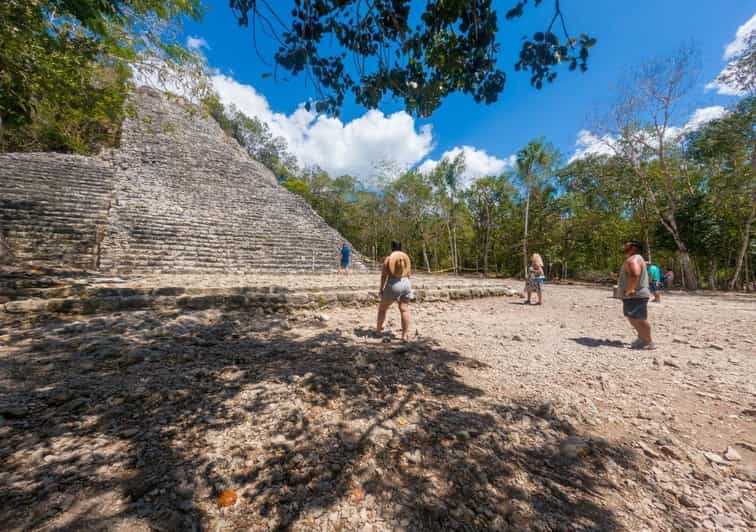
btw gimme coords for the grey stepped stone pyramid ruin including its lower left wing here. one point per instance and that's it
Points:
(177, 196)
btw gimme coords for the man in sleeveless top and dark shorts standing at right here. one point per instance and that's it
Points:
(634, 292)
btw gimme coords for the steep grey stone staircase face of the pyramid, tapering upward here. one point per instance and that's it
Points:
(190, 199)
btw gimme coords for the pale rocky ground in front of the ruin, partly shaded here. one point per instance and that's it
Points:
(497, 416)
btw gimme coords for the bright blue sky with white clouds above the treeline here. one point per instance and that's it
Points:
(628, 32)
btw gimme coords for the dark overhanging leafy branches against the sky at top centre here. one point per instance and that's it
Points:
(418, 57)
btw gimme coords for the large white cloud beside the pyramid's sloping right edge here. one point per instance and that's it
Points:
(354, 148)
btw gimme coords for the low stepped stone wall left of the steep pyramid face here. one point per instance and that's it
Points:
(53, 209)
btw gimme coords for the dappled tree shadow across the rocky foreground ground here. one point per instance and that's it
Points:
(142, 419)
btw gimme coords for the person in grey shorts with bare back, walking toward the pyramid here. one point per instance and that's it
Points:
(395, 286)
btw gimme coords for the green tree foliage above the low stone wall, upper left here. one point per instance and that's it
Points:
(65, 66)
